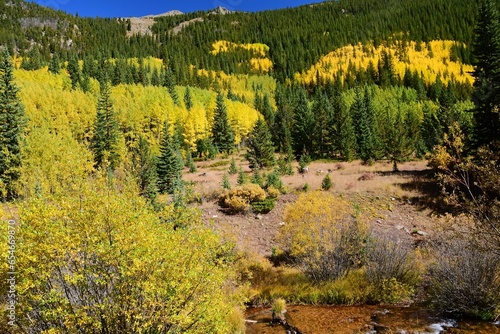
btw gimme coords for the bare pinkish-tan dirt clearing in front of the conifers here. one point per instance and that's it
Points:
(395, 202)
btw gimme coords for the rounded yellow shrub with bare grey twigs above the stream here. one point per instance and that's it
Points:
(322, 235)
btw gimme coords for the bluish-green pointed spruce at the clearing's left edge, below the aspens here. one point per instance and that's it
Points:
(169, 165)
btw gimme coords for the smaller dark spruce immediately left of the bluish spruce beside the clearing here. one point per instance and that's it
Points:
(144, 167)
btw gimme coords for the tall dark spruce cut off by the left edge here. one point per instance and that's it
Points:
(12, 122)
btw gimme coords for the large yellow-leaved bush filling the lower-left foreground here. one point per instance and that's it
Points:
(97, 258)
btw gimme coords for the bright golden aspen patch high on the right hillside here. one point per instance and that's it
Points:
(432, 60)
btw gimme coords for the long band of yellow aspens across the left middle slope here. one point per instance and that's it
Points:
(140, 110)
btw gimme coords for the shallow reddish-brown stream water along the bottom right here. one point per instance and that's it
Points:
(364, 319)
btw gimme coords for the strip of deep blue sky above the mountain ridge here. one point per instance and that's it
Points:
(124, 8)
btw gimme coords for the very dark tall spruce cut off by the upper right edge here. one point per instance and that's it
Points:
(487, 74)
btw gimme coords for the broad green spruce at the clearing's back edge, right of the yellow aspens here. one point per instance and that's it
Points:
(260, 153)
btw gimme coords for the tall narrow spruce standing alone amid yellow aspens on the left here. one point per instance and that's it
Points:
(104, 142)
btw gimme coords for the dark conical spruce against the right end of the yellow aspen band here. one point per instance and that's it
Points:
(222, 133)
